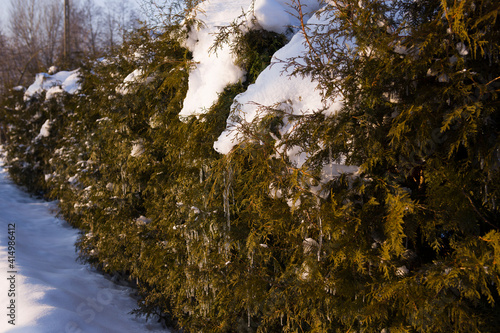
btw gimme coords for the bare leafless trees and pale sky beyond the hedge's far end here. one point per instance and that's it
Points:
(31, 40)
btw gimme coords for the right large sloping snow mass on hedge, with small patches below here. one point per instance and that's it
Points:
(276, 88)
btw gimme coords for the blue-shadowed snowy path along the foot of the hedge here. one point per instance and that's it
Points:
(53, 293)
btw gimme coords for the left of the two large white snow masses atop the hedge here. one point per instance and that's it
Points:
(216, 70)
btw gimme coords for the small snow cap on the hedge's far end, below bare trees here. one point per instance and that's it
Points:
(68, 81)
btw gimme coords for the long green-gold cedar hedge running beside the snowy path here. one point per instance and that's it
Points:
(246, 242)
